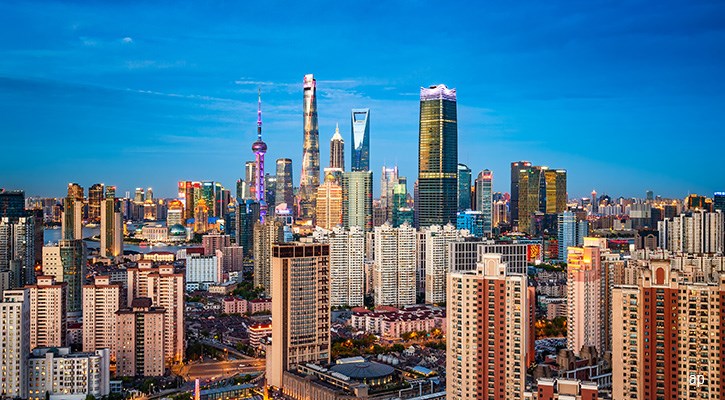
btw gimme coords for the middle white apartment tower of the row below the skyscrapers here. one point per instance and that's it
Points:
(395, 266)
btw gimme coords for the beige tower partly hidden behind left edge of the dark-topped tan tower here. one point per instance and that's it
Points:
(265, 237)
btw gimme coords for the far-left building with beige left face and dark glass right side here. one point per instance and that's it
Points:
(66, 263)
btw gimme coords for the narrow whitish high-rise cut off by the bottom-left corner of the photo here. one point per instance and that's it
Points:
(15, 343)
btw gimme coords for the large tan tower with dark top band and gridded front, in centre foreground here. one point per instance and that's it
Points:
(300, 308)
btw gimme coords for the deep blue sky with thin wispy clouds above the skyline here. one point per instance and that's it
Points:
(627, 96)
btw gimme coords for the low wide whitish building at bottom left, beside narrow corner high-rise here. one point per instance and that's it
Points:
(56, 372)
